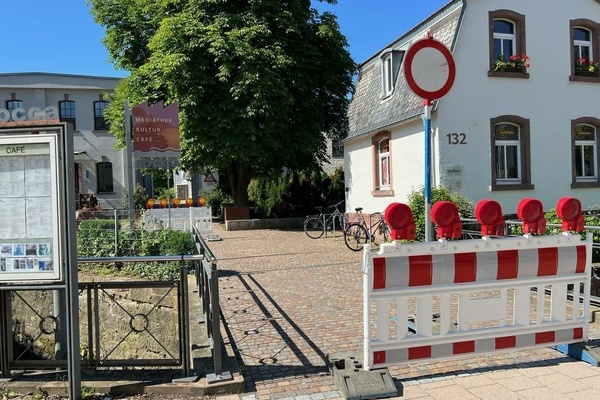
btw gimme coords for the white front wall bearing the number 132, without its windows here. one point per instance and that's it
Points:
(548, 99)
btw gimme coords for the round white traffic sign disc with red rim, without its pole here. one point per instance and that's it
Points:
(429, 69)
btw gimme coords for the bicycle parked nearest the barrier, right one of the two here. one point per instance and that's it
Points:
(357, 234)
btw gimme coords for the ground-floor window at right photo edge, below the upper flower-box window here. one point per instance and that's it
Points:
(585, 158)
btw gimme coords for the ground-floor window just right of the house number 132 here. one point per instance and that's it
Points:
(510, 159)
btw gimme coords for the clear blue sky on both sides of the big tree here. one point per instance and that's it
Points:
(60, 36)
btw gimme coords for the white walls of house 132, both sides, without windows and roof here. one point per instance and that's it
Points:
(547, 98)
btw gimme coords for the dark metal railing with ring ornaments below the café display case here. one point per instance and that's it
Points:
(116, 317)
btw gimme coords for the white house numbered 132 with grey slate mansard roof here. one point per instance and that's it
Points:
(528, 133)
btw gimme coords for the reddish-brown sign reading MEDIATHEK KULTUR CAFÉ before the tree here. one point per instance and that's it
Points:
(155, 128)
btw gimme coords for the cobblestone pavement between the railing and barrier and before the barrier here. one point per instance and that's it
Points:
(289, 300)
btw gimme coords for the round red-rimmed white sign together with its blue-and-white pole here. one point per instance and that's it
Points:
(430, 71)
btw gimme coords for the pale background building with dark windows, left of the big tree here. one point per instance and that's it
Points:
(100, 168)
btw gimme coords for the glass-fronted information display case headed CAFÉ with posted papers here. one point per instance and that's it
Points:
(30, 193)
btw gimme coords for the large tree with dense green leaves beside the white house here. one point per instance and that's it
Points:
(261, 84)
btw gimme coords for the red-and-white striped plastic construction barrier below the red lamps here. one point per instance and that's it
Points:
(424, 301)
